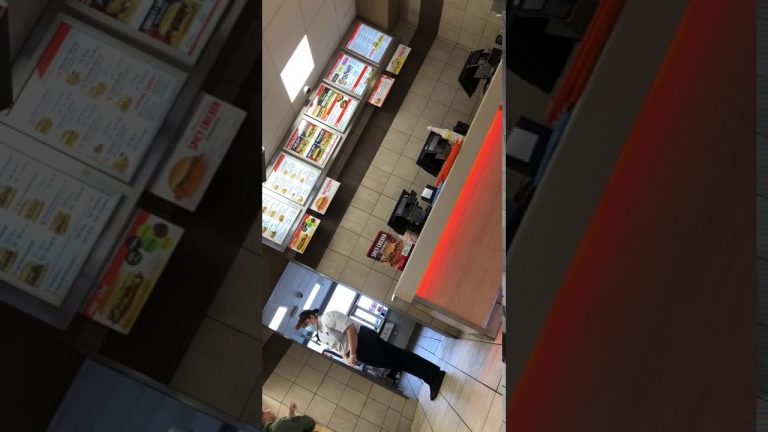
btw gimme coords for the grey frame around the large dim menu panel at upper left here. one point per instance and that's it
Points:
(23, 76)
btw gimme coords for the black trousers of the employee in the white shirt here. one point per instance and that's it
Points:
(374, 351)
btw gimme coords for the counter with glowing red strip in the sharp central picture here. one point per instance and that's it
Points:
(455, 267)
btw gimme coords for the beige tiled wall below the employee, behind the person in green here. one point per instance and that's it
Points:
(338, 400)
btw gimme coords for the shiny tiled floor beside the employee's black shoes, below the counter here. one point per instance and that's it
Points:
(471, 396)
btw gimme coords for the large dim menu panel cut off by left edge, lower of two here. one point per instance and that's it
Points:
(48, 224)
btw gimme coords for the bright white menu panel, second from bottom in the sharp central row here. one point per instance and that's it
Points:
(292, 178)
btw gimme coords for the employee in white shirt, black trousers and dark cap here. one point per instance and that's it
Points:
(339, 333)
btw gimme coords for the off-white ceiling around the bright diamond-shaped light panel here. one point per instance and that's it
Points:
(285, 22)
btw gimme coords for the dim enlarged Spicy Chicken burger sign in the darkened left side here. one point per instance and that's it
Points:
(188, 172)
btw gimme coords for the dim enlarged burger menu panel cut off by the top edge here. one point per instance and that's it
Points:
(181, 24)
